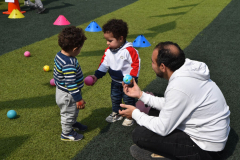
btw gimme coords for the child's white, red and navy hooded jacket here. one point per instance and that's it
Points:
(119, 63)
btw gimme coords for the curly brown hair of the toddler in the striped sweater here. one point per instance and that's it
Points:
(70, 38)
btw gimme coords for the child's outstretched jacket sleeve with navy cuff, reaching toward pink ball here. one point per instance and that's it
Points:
(103, 67)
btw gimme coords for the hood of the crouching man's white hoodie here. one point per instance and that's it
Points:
(193, 69)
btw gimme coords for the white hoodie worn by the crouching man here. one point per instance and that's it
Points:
(192, 103)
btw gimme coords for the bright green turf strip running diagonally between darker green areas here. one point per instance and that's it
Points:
(35, 134)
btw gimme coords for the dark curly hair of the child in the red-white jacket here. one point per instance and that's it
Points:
(118, 28)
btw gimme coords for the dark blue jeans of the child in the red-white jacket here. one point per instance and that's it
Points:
(117, 95)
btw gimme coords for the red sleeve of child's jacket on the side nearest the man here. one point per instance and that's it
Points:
(134, 61)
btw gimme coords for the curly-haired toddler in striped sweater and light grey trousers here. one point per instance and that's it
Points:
(68, 78)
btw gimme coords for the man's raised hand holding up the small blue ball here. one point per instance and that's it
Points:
(134, 91)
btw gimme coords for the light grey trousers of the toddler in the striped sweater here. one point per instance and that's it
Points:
(68, 110)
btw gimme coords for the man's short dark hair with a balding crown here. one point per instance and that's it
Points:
(171, 60)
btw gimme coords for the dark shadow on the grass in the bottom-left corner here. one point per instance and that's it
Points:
(10, 144)
